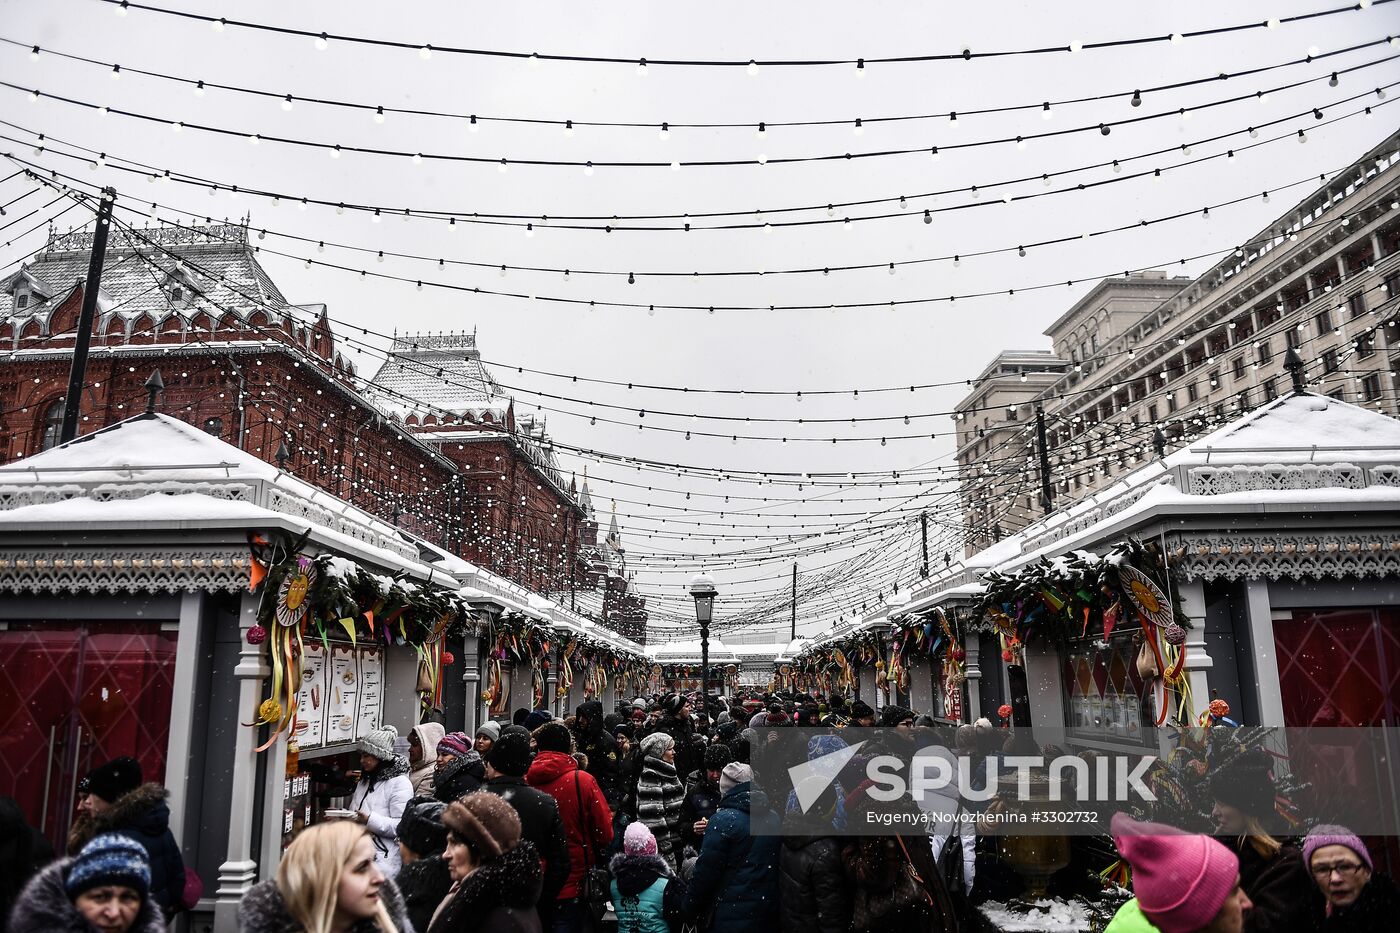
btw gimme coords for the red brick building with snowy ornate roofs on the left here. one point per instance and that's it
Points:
(429, 443)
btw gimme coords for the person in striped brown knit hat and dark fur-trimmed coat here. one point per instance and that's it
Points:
(496, 873)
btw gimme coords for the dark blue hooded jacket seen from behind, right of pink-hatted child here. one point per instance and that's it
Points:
(737, 873)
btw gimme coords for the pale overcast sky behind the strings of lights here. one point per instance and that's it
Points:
(789, 351)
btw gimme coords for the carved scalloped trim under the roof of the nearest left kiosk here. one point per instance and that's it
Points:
(124, 571)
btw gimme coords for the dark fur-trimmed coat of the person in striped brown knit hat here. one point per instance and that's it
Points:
(496, 899)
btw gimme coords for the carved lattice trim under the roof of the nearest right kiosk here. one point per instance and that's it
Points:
(1286, 557)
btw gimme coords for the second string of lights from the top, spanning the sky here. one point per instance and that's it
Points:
(381, 113)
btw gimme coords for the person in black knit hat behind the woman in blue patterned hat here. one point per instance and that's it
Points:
(113, 799)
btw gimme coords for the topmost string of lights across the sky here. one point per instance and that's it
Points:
(752, 67)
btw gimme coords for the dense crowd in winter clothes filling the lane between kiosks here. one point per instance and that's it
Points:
(650, 816)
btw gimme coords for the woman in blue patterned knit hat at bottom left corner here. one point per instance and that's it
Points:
(106, 887)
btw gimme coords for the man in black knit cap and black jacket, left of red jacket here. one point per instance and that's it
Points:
(506, 767)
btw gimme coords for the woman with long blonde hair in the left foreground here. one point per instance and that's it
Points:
(327, 883)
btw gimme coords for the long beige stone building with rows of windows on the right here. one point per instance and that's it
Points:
(1147, 362)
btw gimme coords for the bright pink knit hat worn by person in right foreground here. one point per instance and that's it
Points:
(1181, 880)
